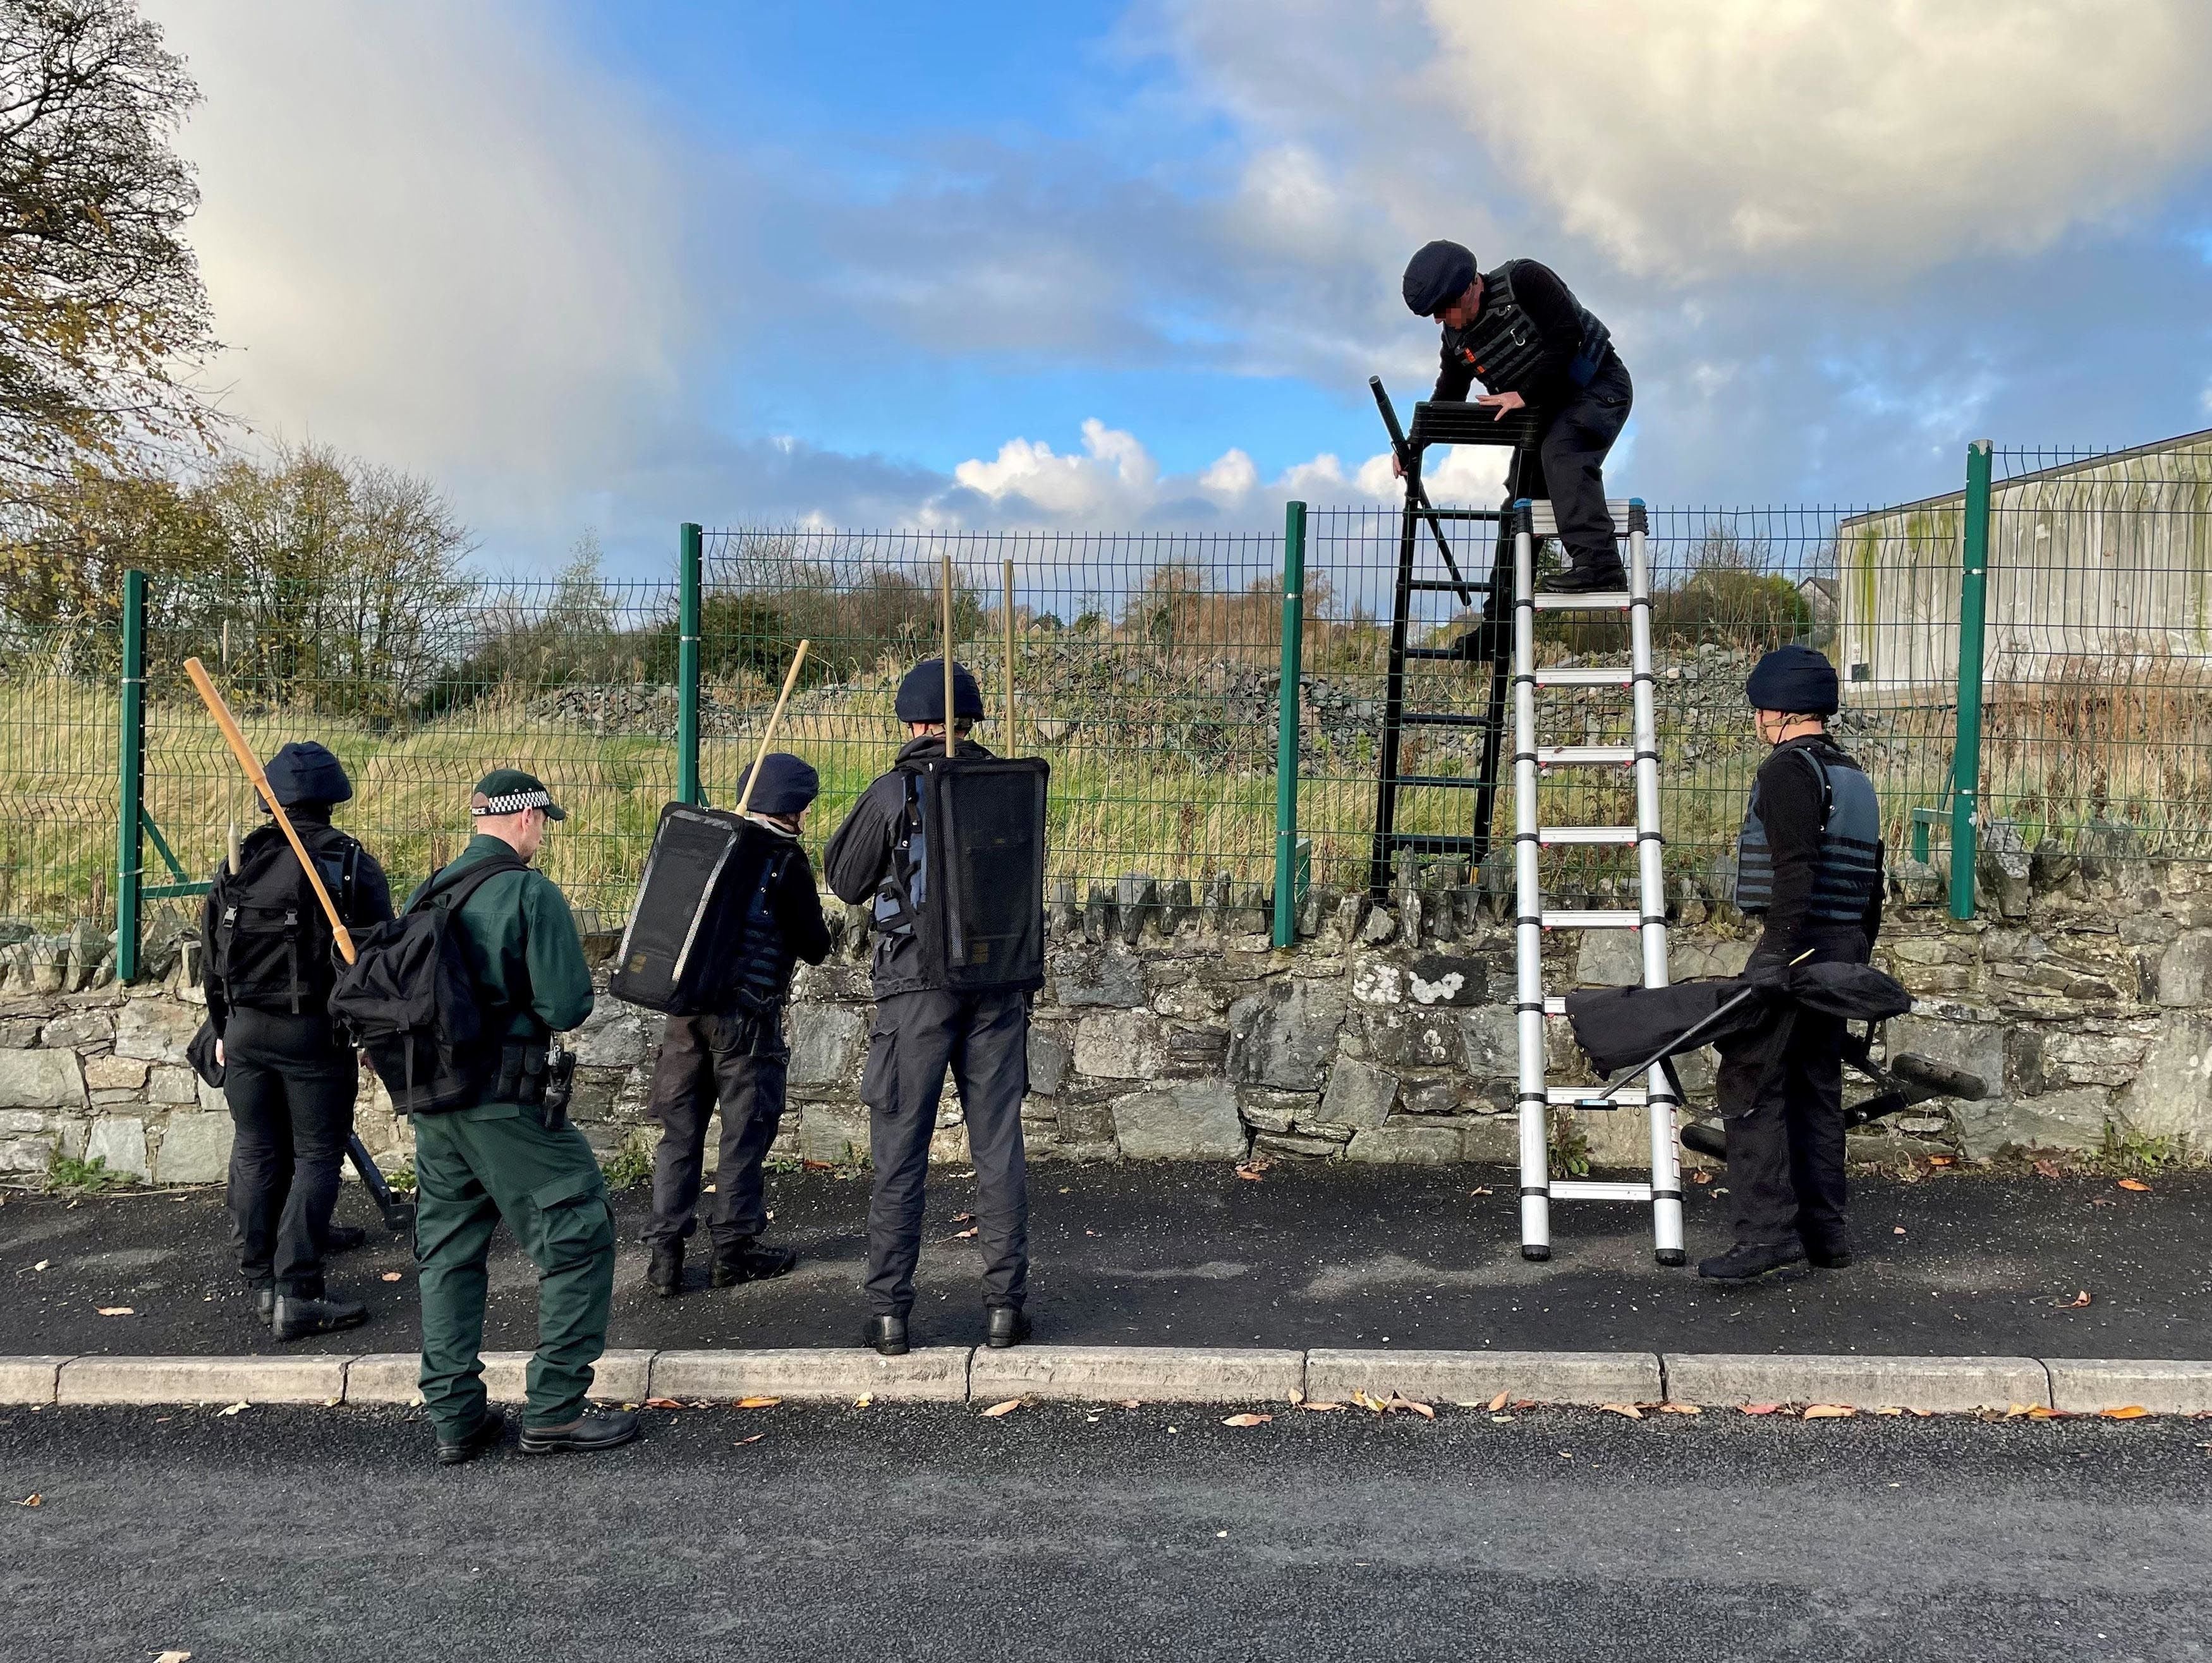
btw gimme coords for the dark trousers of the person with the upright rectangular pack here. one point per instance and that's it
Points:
(985, 1040)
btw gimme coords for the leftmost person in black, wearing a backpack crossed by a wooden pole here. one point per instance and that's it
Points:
(291, 1082)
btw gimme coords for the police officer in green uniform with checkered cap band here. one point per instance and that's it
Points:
(514, 1158)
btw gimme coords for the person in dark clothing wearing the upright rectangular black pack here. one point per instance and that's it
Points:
(921, 1029)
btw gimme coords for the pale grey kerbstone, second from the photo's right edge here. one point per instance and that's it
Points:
(1861, 1383)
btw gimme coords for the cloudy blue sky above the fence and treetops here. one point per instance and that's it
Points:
(603, 266)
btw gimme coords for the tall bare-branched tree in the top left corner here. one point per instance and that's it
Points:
(103, 315)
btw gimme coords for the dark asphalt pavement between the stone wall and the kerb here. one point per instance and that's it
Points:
(1189, 1255)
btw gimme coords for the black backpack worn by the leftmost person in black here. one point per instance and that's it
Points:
(273, 945)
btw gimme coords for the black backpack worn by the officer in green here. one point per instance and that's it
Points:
(413, 1005)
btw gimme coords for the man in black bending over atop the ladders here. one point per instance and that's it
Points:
(1532, 344)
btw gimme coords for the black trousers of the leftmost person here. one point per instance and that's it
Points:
(291, 1091)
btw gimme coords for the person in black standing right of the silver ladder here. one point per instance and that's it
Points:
(1811, 870)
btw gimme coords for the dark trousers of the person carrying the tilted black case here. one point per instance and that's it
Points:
(742, 1065)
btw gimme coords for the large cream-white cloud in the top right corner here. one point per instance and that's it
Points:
(1700, 136)
